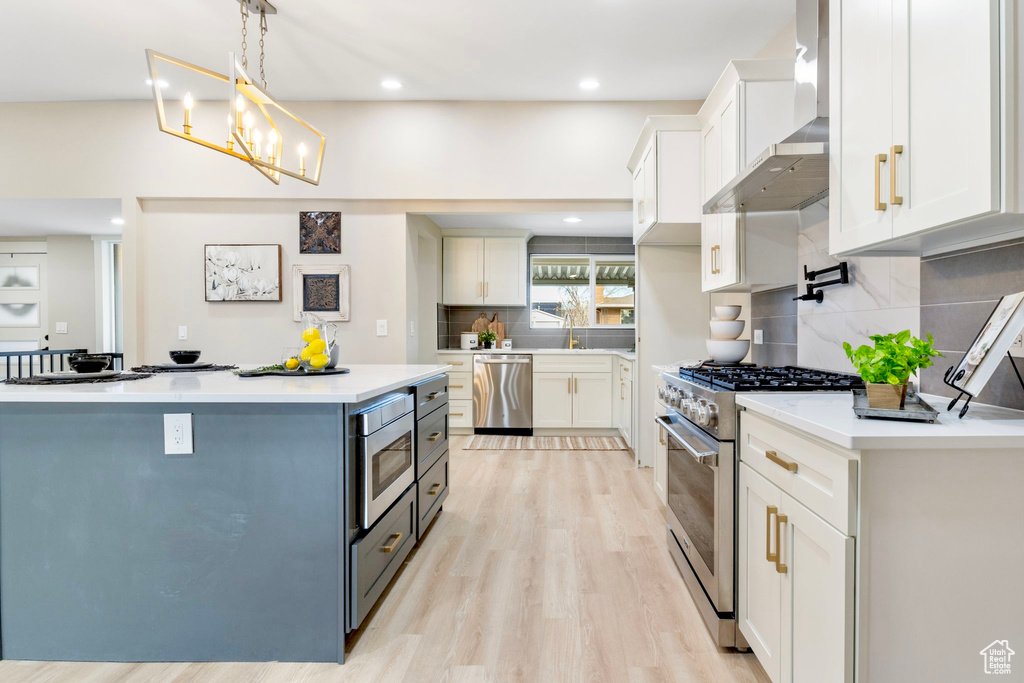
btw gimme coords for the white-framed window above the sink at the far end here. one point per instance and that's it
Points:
(584, 291)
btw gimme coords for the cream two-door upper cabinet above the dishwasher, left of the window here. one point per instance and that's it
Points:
(485, 271)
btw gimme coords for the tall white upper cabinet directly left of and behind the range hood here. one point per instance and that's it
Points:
(751, 108)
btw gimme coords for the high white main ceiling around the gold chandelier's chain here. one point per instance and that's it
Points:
(439, 50)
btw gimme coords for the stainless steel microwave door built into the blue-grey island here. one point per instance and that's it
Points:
(387, 458)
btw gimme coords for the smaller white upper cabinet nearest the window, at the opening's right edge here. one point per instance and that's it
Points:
(666, 168)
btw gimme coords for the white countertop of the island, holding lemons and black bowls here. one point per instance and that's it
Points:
(225, 388)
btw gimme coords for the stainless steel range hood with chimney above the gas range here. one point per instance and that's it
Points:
(793, 174)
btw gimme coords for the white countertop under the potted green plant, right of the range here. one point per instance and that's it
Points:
(831, 417)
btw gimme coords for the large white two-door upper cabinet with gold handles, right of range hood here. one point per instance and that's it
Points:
(923, 130)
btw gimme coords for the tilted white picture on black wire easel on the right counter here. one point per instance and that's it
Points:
(991, 347)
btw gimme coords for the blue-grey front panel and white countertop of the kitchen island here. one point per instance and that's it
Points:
(112, 550)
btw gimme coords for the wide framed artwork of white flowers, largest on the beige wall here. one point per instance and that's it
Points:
(243, 273)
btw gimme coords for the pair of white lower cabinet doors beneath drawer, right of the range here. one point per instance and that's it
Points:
(796, 586)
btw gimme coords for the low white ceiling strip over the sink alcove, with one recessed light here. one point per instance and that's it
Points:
(594, 225)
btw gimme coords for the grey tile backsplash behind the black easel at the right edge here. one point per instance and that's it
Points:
(959, 292)
